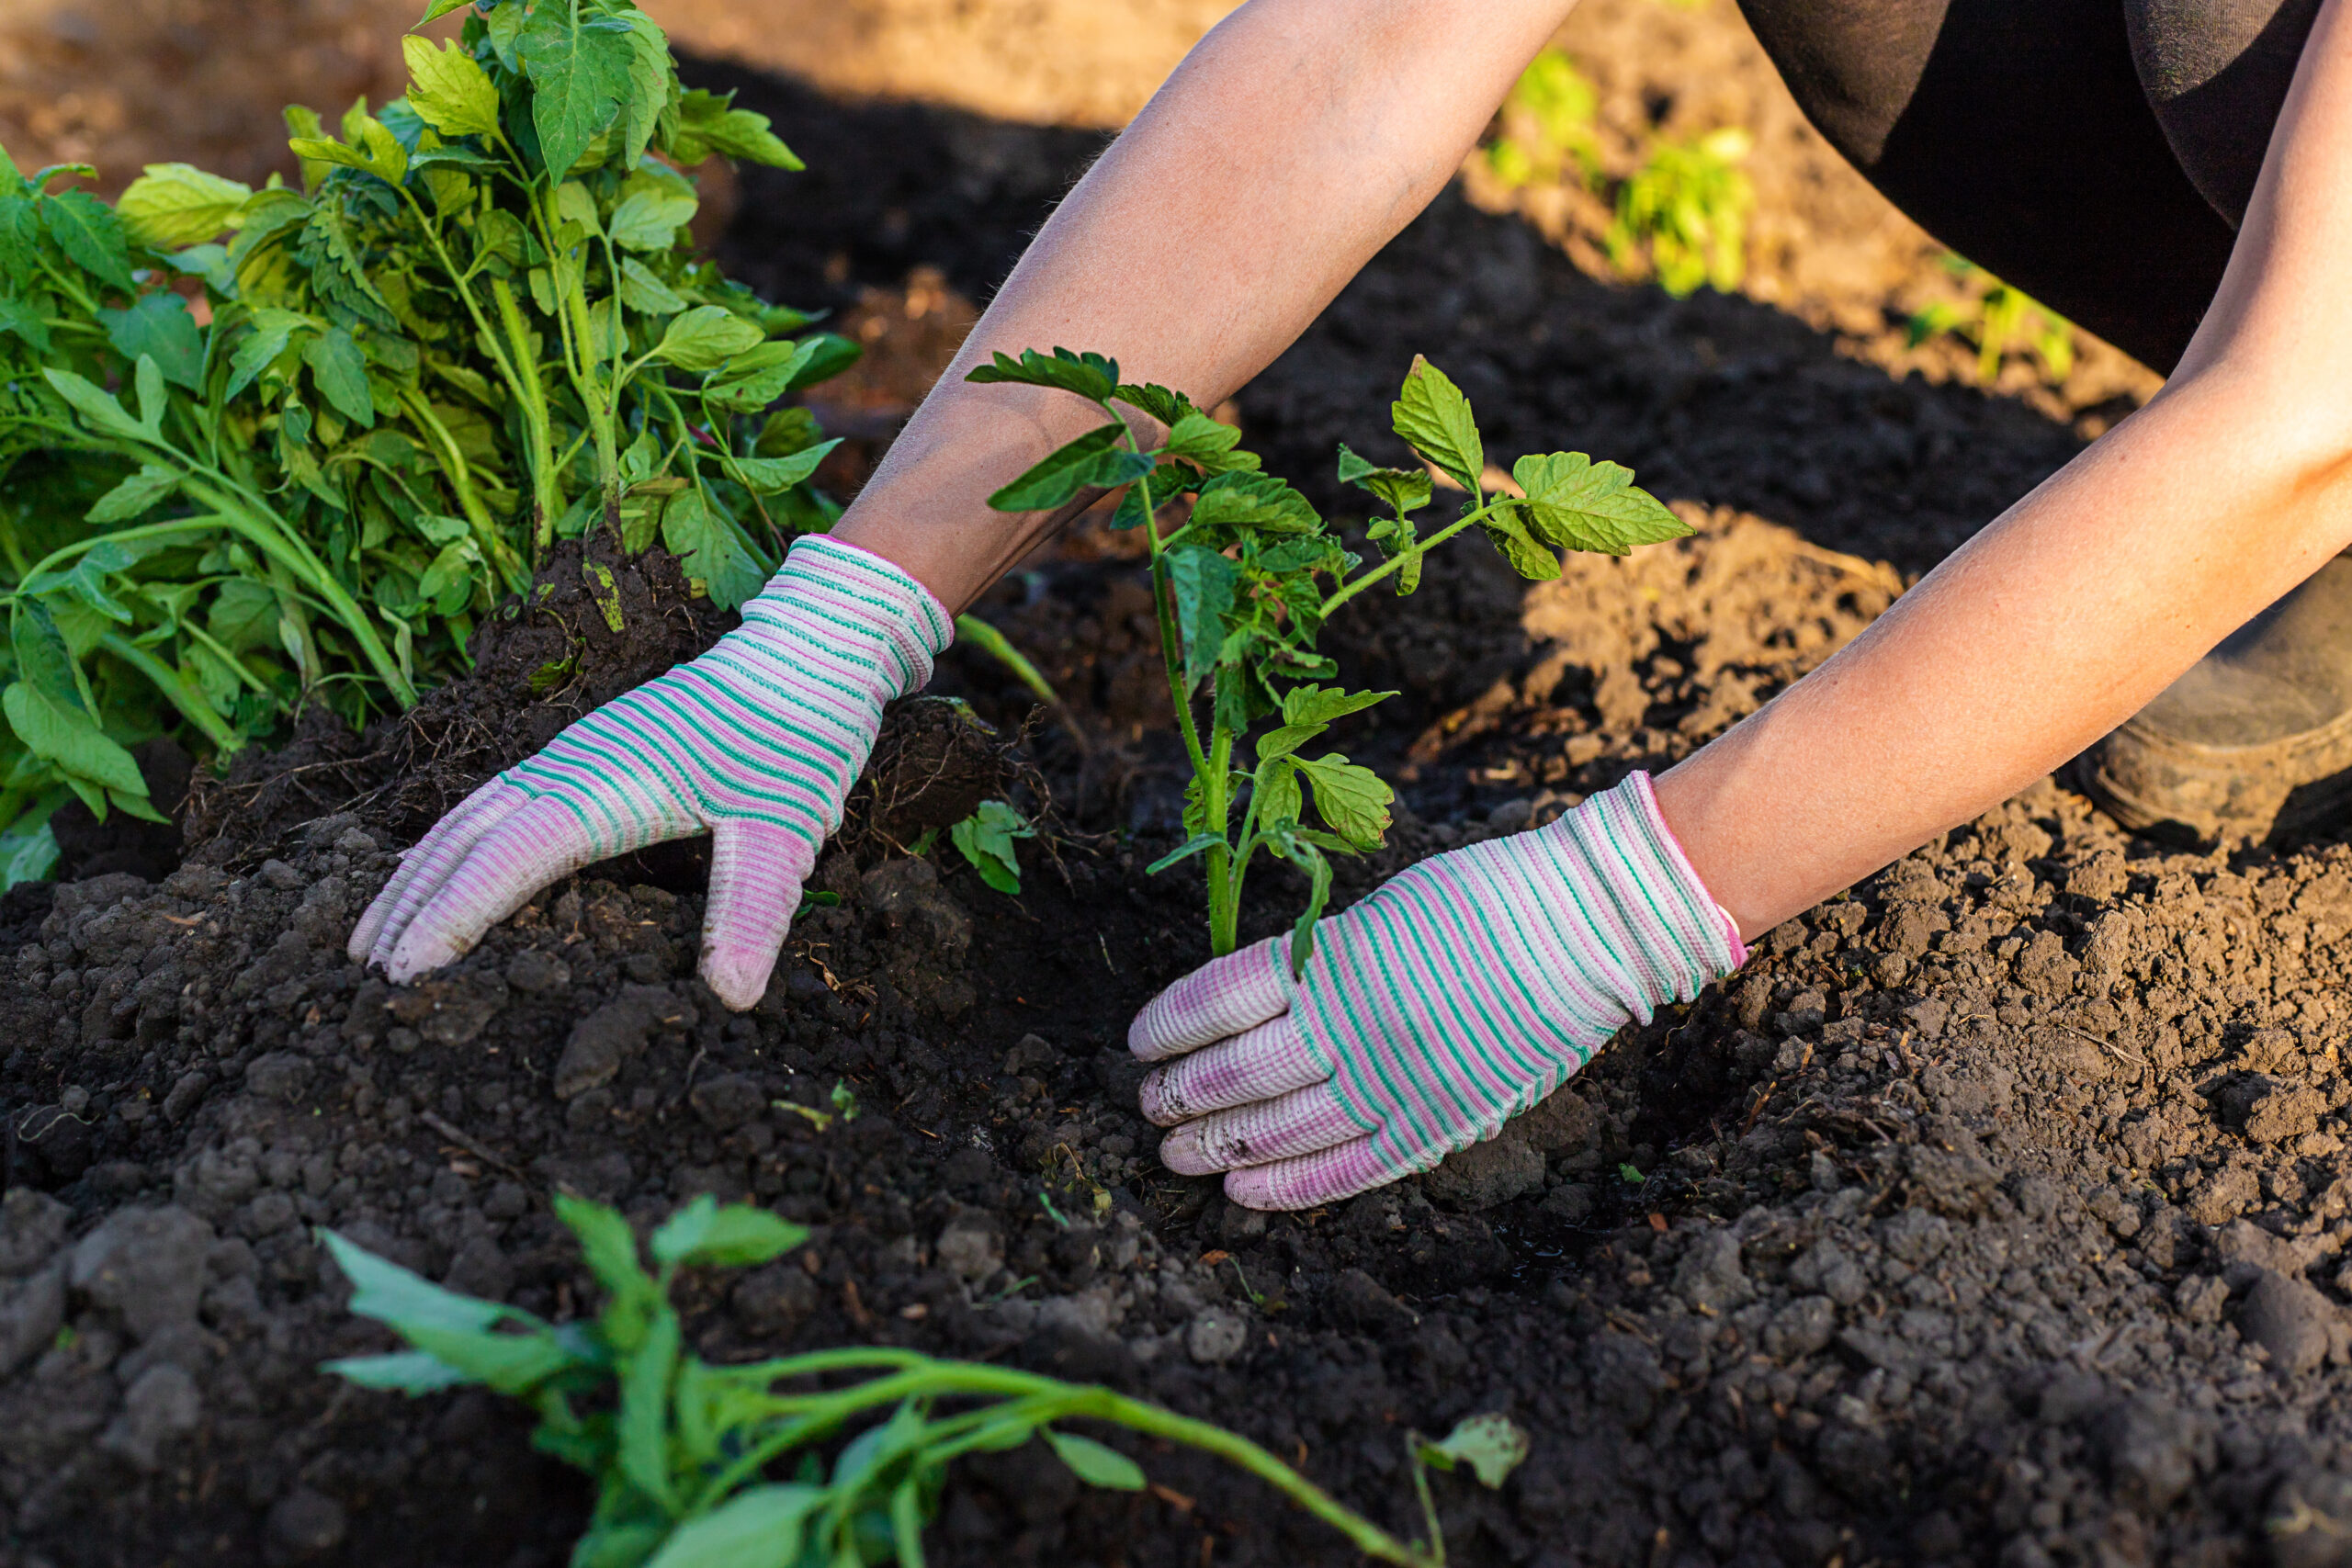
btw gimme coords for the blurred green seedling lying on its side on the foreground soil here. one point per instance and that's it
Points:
(688, 1456)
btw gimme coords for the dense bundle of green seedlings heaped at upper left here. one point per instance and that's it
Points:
(286, 448)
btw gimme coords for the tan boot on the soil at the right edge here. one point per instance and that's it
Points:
(2254, 739)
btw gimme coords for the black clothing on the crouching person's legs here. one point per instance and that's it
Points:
(2097, 154)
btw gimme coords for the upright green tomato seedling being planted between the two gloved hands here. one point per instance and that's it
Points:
(1250, 572)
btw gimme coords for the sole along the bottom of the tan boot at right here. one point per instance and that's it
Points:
(2156, 784)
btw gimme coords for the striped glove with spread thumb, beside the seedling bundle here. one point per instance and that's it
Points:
(756, 744)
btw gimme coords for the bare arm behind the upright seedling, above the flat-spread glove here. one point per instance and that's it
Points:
(1295, 142)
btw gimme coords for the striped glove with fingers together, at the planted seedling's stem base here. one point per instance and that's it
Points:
(1436, 1010)
